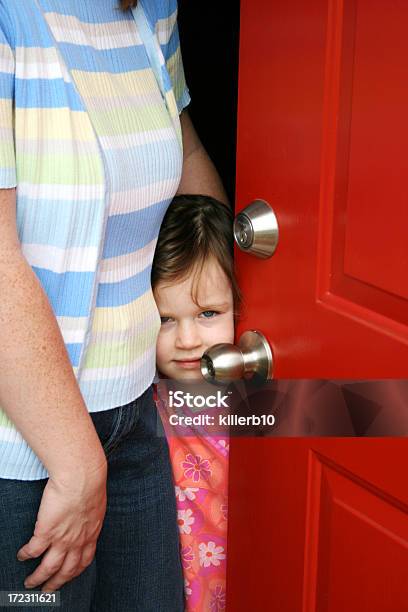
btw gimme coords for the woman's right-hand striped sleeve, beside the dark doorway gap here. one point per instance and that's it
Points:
(168, 35)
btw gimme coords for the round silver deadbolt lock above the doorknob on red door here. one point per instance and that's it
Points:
(256, 229)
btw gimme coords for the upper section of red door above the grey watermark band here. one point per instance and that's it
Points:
(322, 130)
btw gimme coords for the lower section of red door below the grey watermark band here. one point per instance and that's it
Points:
(318, 525)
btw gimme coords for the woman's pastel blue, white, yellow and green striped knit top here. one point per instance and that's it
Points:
(90, 136)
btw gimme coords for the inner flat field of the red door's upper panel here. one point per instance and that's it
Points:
(378, 161)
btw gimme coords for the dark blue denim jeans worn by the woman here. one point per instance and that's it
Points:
(137, 564)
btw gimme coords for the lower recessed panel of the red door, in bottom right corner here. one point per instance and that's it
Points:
(356, 536)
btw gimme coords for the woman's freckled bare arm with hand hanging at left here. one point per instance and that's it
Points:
(39, 393)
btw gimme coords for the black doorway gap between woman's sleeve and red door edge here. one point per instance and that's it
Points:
(209, 34)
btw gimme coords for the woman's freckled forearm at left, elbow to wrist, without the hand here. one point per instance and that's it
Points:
(38, 389)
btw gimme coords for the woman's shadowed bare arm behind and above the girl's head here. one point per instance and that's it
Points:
(199, 174)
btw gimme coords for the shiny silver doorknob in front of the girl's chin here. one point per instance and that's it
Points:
(251, 359)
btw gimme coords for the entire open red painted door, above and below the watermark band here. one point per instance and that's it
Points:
(321, 524)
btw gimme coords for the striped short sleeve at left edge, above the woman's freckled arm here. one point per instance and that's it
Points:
(7, 148)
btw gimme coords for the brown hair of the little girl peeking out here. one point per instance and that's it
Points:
(195, 228)
